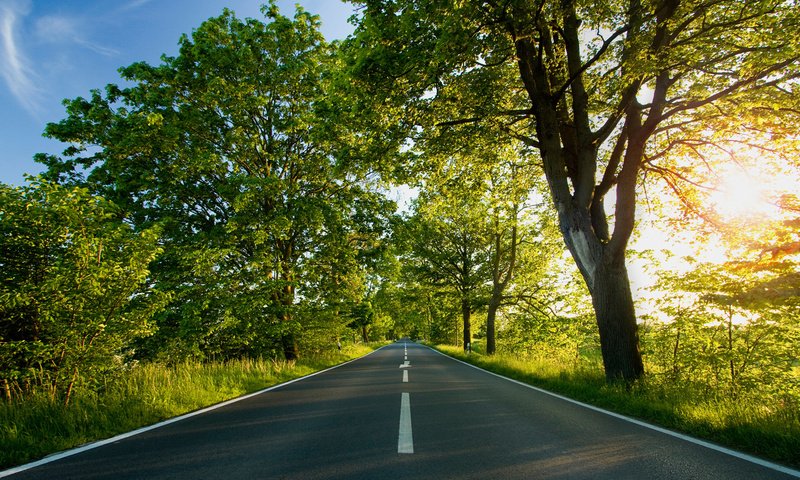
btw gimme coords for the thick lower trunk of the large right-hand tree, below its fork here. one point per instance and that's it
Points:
(616, 322)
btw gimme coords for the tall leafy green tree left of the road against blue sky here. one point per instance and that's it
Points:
(231, 147)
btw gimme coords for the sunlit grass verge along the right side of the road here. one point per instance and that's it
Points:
(745, 423)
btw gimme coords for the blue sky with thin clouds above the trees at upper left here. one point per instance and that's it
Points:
(56, 49)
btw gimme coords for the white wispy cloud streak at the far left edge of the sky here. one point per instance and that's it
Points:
(17, 73)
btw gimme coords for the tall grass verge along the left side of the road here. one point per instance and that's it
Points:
(146, 394)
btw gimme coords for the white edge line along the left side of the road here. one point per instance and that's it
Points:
(90, 446)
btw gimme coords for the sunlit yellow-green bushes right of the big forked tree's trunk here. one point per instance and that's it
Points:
(723, 335)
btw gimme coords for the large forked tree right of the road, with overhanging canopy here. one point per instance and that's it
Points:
(601, 90)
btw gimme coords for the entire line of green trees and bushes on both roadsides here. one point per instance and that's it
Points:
(232, 200)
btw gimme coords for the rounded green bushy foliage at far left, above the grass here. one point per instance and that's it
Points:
(74, 292)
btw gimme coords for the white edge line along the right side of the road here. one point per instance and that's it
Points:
(687, 438)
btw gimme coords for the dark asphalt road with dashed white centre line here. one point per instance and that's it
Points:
(404, 411)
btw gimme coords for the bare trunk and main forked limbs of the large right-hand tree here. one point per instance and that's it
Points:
(601, 260)
